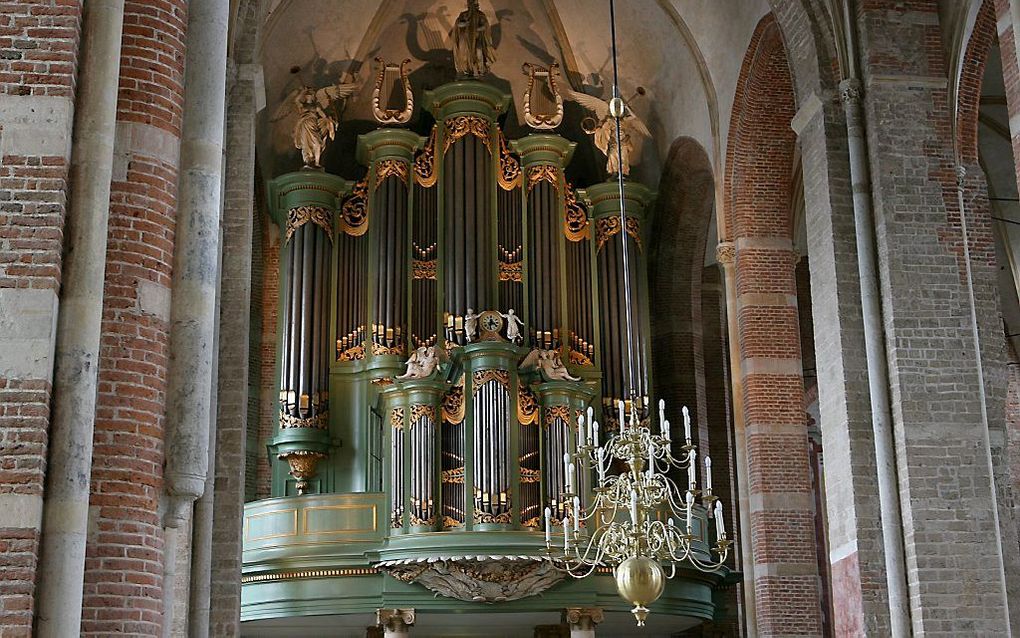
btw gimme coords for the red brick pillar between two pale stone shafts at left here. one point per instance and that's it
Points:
(125, 554)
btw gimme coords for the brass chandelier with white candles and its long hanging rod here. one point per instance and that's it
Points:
(640, 519)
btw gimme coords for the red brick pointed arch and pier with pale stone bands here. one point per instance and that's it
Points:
(758, 194)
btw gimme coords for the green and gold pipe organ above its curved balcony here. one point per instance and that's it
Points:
(446, 319)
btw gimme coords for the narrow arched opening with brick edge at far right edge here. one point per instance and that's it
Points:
(993, 216)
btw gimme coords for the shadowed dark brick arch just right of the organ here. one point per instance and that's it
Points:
(676, 267)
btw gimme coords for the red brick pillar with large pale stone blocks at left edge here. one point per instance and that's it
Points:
(39, 42)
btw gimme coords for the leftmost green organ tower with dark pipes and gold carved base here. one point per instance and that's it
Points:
(305, 206)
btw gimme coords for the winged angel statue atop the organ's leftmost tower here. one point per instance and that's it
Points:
(318, 118)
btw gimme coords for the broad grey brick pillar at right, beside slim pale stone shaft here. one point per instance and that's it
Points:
(946, 475)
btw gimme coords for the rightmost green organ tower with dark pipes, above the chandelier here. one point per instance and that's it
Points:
(623, 369)
